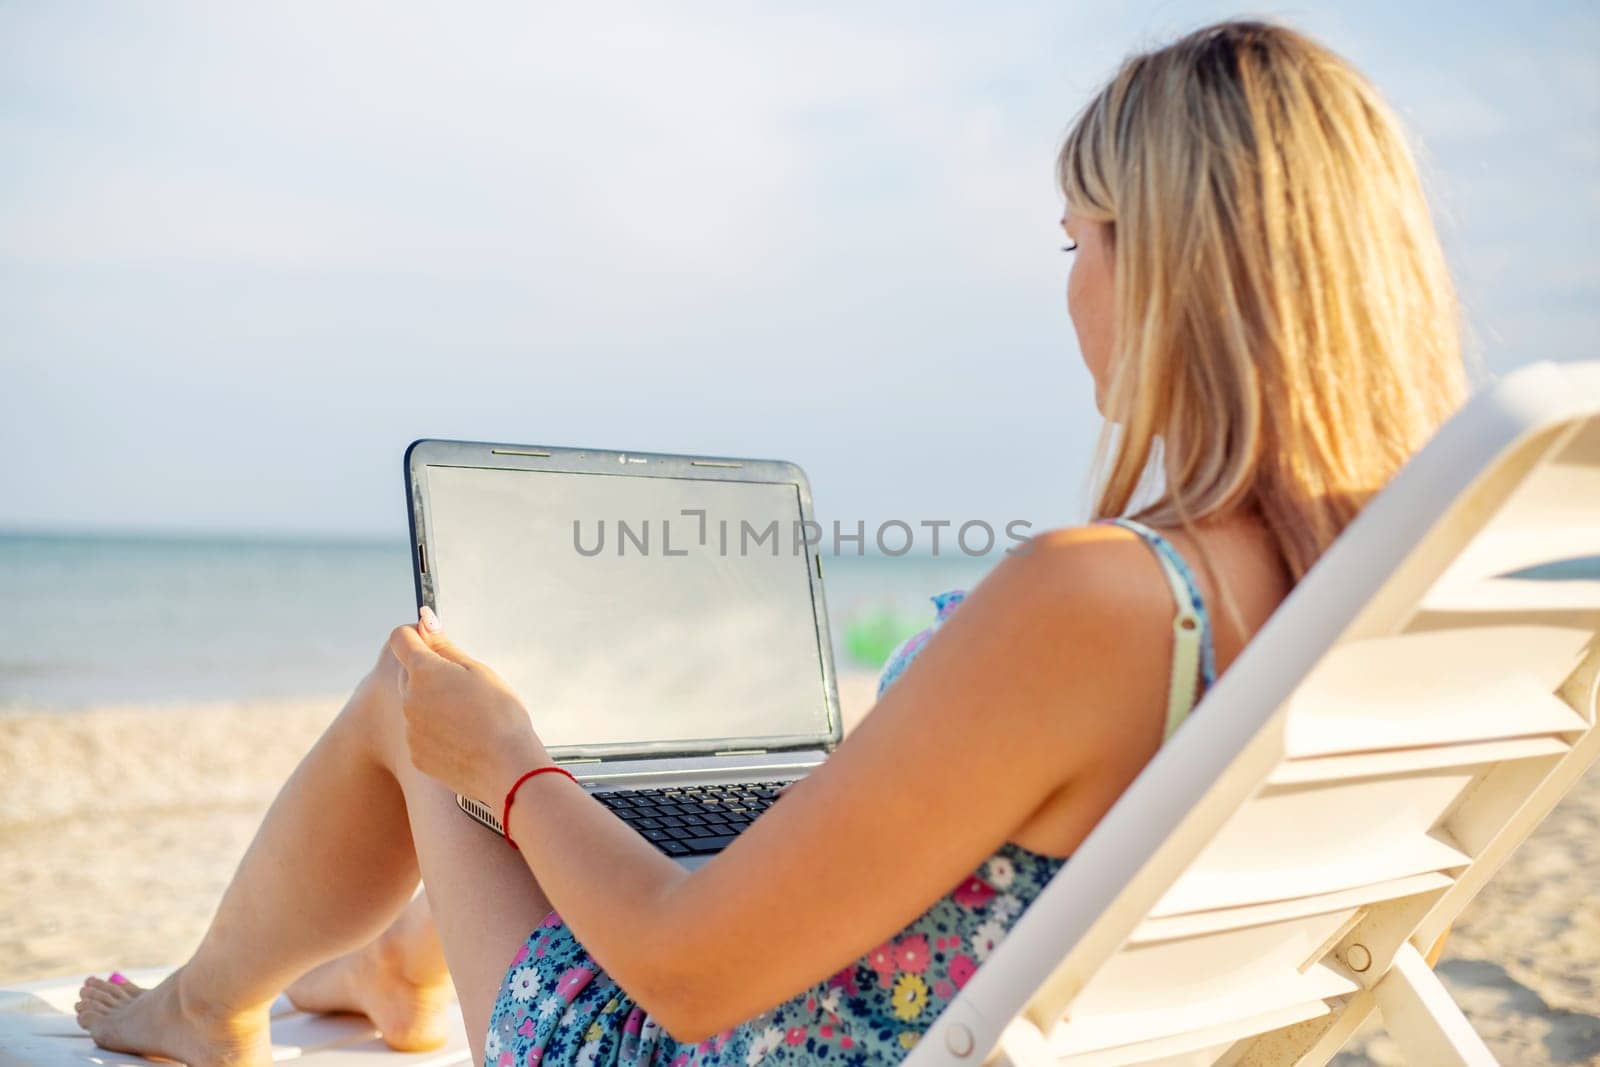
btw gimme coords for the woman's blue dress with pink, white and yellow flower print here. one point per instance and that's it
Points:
(559, 1007)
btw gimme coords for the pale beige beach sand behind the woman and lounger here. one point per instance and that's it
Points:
(111, 858)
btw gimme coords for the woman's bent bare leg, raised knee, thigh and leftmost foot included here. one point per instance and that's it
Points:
(332, 866)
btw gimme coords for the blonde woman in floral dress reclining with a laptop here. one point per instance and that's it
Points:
(1257, 286)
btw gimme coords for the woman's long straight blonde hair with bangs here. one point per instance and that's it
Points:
(1284, 318)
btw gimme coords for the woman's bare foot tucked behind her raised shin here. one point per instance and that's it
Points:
(380, 983)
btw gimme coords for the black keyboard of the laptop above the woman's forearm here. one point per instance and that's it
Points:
(692, 820)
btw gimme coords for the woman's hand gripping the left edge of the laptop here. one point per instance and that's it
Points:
(465, 725)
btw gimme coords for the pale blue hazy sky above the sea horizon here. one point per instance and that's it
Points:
(250, 252)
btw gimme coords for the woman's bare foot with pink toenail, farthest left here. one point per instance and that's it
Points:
(170, 1023)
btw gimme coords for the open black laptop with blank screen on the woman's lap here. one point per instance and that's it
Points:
(660, 617)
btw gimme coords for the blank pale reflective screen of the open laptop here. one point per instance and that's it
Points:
(641, 613)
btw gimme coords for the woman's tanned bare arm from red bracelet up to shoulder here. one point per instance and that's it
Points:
(1022, 693)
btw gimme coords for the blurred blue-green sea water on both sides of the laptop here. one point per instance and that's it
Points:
(129, 620)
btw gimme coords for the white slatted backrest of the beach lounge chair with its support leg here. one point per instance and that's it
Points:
(1404, 721)
